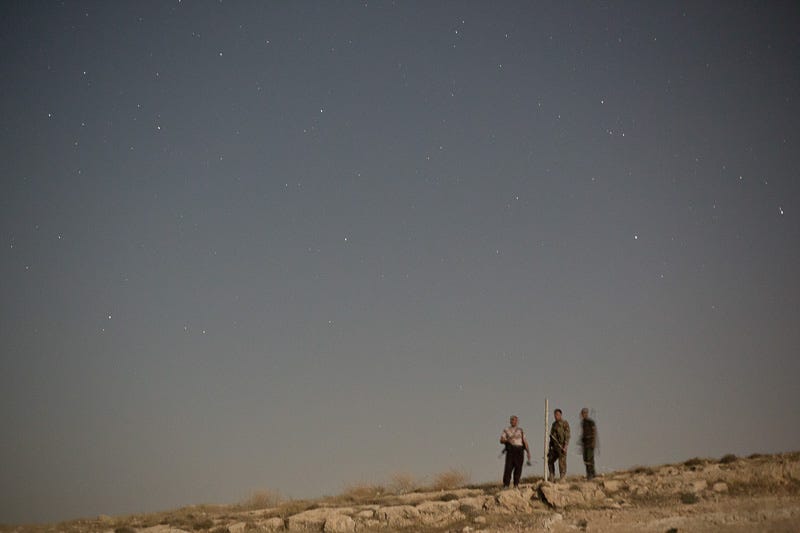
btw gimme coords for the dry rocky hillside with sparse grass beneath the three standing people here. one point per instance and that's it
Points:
(759, 493)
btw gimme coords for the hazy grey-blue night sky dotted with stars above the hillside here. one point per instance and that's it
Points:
(295, 246)
